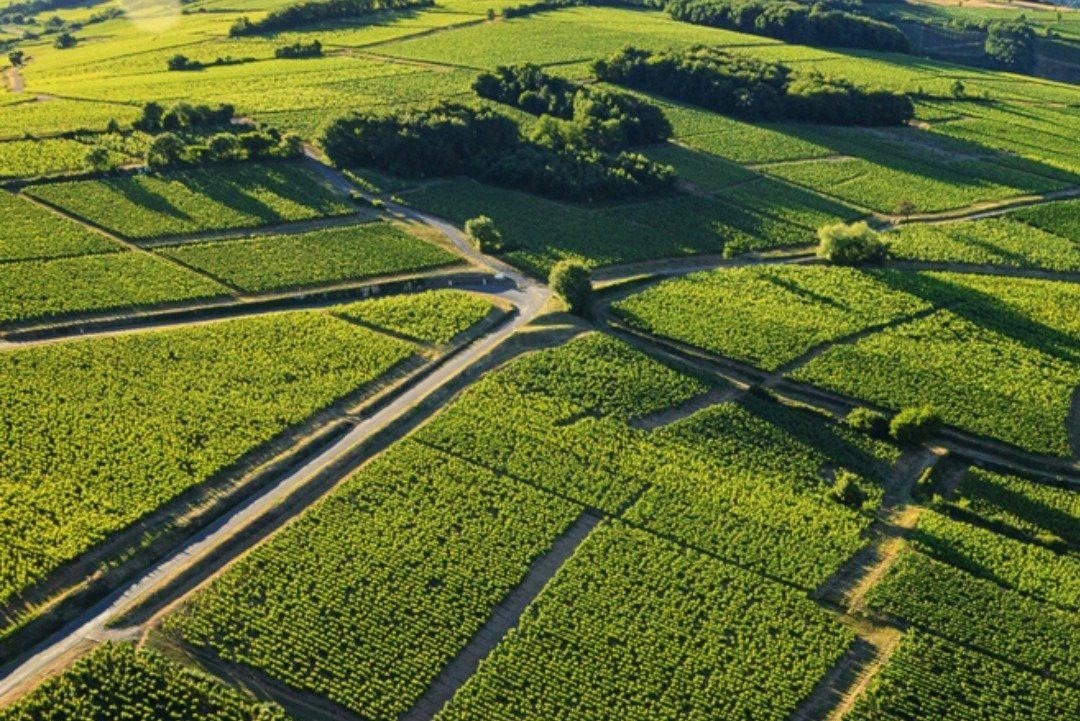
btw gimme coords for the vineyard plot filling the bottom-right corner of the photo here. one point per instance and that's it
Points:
(929, 678)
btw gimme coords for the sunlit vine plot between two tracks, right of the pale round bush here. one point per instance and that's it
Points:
(995, 241)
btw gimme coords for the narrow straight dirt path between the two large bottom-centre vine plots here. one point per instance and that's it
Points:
(504, 618)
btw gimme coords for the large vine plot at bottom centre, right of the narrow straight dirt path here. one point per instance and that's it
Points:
(638, 629)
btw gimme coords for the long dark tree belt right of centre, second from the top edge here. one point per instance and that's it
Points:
(750, 88)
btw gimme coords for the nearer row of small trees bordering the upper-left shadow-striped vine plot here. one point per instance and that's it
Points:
(172, 151)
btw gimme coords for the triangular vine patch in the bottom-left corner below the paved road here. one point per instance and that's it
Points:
(116, 682)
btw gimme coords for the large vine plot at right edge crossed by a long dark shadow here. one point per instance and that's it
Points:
(1003, 361)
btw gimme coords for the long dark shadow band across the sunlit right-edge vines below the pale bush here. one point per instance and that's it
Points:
(988, 312)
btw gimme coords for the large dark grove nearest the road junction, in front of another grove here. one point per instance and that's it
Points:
(451, 139)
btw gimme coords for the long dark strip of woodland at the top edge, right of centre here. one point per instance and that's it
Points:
(793, 22)
